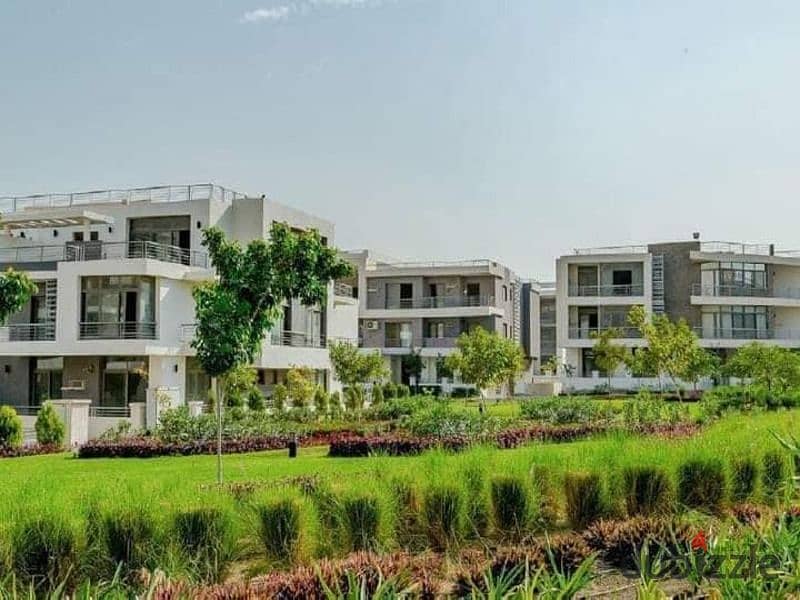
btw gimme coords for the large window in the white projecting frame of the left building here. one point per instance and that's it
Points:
(118, 307)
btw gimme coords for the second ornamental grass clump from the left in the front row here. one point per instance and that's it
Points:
(129, 539)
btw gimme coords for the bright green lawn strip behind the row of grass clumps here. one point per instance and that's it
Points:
(67, 484)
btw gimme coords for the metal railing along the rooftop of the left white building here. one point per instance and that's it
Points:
(157, 194)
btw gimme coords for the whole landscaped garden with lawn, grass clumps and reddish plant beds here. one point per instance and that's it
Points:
(605, 494)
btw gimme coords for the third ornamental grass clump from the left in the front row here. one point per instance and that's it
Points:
(205, 536)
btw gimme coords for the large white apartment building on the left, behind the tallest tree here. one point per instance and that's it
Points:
(112, 320)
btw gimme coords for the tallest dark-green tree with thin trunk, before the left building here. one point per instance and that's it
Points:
(235, 312)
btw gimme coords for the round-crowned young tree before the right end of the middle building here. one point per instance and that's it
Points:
(485, 359)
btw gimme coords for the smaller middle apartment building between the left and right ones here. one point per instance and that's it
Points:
(422, 307)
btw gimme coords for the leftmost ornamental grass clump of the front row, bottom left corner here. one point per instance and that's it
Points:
(44, 551)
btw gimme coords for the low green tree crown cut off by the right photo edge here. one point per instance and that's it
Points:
(775, 368)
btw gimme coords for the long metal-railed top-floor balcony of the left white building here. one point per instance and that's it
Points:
(84, 251)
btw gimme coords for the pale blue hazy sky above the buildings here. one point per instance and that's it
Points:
(510, 129)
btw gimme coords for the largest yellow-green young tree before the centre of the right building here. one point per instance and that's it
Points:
(671, 347)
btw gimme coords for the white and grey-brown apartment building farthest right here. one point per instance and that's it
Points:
(731, 293)
